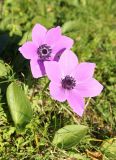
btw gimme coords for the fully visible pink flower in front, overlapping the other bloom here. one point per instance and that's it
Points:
(72, 81)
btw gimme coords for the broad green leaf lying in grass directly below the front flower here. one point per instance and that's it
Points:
(69, 136)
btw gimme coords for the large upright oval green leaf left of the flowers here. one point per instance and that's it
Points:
(19, 105)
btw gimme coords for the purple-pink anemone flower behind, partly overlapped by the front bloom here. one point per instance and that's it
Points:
(46, 45)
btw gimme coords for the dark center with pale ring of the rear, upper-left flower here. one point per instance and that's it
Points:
(44, 51)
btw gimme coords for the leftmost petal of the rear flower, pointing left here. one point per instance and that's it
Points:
(28, 50)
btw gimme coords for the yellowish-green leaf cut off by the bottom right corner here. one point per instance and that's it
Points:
(109, 148)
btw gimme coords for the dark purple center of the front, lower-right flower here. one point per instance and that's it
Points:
(68, 82)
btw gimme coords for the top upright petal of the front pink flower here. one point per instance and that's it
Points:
(68, 61)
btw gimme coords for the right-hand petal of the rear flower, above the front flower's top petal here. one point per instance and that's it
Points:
(63, 43)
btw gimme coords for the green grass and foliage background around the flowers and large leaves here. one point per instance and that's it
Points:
(92, 24)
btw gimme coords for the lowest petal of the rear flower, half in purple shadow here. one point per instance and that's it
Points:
(37, 68)
